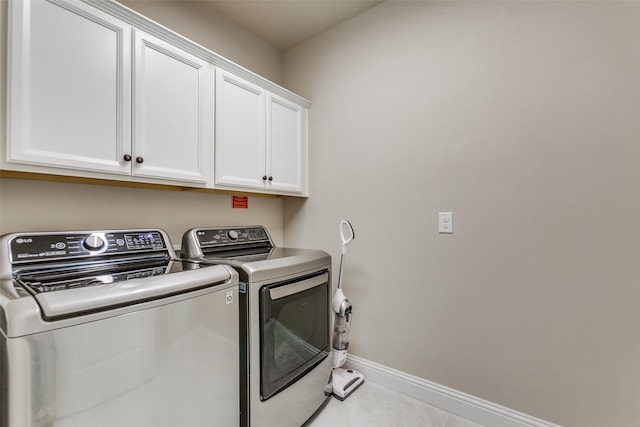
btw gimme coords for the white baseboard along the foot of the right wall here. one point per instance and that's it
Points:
(470, 407)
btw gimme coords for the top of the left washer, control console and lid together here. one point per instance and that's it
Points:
(75, 273)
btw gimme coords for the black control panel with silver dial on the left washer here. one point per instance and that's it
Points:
(50, 246)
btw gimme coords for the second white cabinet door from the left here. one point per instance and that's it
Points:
(172, 116)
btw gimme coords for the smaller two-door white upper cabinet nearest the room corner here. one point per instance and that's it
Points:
(259, 138)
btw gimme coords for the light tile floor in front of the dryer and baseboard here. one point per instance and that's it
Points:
(375, 406)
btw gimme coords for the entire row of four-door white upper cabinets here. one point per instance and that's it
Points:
(95, 90)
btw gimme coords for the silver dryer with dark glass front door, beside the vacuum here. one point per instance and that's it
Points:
(284, 321)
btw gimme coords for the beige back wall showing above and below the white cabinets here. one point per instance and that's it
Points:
(34, 206)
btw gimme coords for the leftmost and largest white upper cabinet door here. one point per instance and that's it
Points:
(69, 85)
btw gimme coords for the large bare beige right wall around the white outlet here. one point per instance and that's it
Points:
(523, 118)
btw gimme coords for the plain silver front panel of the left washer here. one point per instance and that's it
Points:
(171, 365)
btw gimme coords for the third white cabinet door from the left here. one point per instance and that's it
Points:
(240, 132)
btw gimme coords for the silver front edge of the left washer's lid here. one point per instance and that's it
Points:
(23, 313)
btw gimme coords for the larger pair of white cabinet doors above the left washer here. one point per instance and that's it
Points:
(71, 96)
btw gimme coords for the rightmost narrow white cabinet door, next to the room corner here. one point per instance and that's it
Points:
(285, 145)
